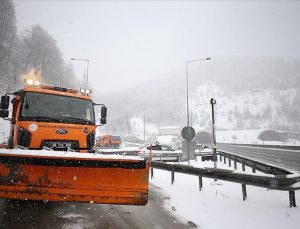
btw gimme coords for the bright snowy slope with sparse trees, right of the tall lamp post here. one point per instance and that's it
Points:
(260, 107)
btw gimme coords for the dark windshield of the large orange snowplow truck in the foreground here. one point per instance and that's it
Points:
(57, 108)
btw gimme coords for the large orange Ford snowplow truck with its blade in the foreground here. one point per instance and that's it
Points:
(50, 151)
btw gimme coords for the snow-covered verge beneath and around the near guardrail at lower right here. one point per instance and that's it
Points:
(220, 205)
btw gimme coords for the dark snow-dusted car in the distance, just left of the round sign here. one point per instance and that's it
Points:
(162, 153)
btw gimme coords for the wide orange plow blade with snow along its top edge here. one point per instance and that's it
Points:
(77, 177)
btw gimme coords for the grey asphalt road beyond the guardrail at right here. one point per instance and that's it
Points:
(288, 159)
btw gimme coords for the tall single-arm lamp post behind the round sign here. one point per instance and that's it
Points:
(187, 98)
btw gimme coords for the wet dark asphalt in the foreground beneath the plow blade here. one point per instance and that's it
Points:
(33, 214)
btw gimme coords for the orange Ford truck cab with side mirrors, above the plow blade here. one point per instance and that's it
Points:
(52, 117)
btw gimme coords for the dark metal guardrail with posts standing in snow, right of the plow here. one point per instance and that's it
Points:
(289, 182)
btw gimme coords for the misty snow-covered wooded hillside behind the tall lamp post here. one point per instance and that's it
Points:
(250, 93)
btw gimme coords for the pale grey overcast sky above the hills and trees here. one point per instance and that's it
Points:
(128, 41)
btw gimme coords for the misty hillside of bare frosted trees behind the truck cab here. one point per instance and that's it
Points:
(33, 51)
